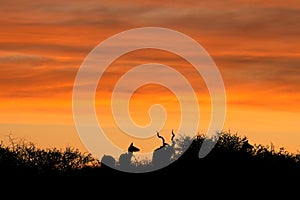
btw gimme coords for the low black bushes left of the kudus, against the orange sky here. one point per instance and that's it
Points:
(26, 159)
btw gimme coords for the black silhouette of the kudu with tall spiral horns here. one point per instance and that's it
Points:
(162, 156)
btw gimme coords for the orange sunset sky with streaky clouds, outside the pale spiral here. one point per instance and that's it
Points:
(254, 44)
